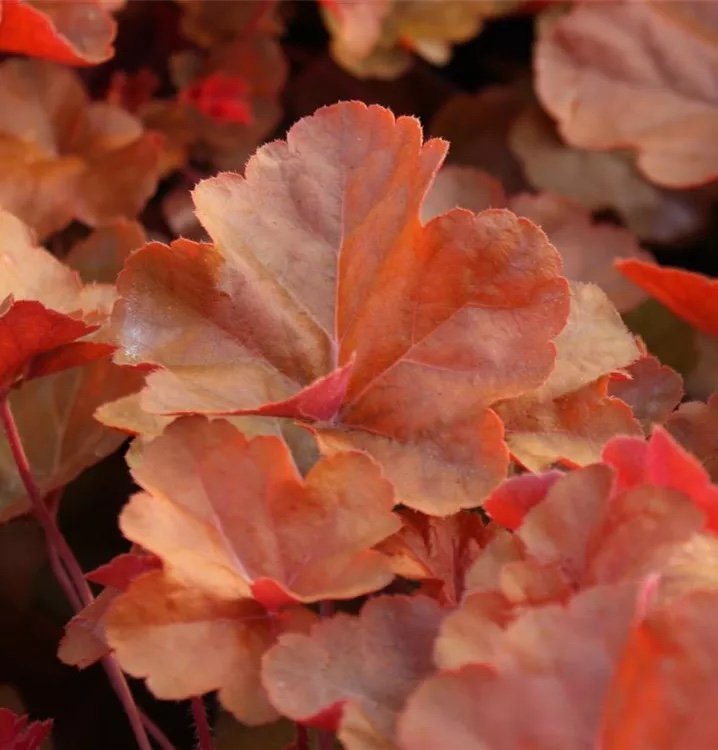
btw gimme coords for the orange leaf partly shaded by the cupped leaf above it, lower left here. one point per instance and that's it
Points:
(186, 643)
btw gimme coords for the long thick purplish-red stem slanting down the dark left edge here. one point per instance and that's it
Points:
(65, 566)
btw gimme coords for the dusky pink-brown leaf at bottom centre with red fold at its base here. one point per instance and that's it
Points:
(319, 679)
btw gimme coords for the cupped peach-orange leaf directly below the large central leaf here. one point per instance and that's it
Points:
(234, 518)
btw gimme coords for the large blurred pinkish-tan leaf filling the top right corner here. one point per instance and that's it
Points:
(635, 75)
